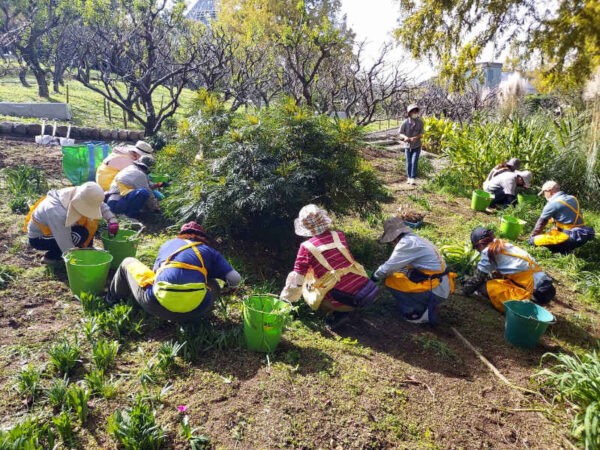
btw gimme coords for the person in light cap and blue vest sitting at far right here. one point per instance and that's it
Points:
(569, 231)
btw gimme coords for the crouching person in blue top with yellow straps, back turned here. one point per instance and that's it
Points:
(182, 287)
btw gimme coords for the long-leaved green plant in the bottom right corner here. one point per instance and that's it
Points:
(576, 379)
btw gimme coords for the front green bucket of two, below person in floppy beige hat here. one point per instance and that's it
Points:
(87, 269)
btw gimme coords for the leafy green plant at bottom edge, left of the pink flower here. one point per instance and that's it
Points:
(136, 427)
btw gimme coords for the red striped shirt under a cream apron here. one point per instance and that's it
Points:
(350, 283)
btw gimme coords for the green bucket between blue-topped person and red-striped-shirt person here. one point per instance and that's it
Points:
(265, 316)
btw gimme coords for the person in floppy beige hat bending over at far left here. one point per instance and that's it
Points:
(67, 218)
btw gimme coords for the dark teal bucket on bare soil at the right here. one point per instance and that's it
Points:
(525, 323)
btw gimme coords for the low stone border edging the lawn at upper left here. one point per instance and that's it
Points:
(81, 133)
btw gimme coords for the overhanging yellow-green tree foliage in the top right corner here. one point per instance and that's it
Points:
(562, 37)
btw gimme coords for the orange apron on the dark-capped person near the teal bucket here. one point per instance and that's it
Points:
(516, 286)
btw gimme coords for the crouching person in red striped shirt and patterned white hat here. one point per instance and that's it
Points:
(325, 272)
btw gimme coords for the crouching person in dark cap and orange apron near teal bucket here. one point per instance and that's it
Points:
(506, 272)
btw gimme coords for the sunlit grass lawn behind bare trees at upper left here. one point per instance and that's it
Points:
(88, 106)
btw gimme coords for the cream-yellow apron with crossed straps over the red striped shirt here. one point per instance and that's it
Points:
(315, 289)
